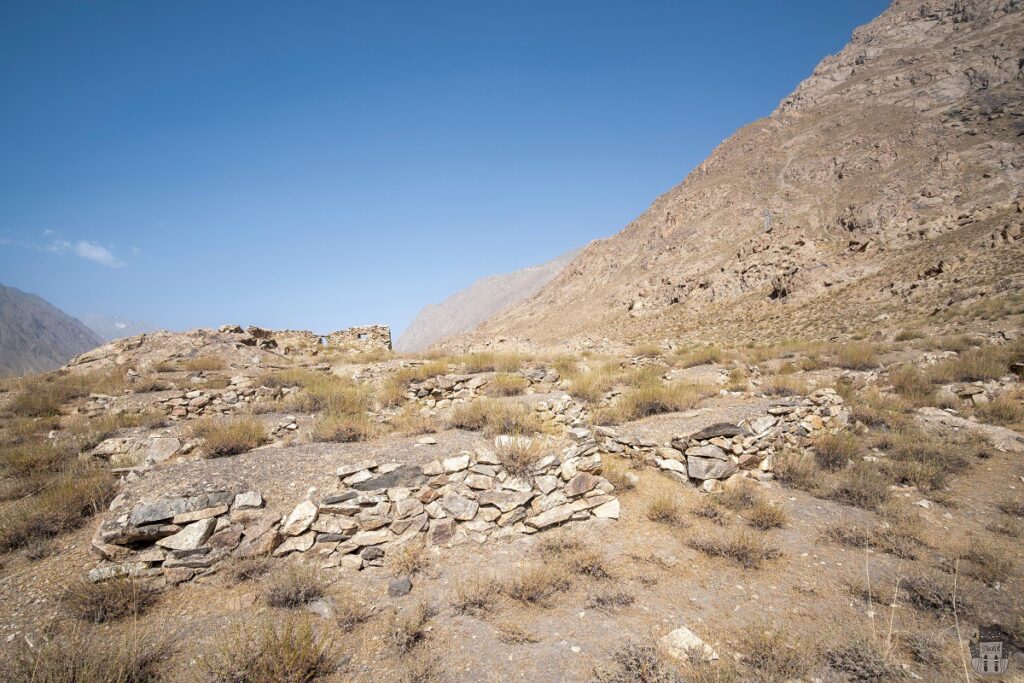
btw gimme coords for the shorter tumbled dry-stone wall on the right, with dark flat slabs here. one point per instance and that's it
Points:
(723, 451)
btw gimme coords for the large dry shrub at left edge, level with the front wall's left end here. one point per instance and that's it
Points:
(61, 503)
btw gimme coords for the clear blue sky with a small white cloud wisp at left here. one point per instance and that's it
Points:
(326, 164)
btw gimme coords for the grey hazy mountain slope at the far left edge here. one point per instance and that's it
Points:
(36, 336)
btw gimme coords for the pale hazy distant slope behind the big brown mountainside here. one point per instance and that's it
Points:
(464, 311)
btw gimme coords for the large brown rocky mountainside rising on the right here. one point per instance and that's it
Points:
(886, 189)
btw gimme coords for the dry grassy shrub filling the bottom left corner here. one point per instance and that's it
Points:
(87, 656)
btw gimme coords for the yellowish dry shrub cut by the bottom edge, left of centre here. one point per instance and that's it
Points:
(276, 651)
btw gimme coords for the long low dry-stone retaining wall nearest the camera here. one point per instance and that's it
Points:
(467, 497)
